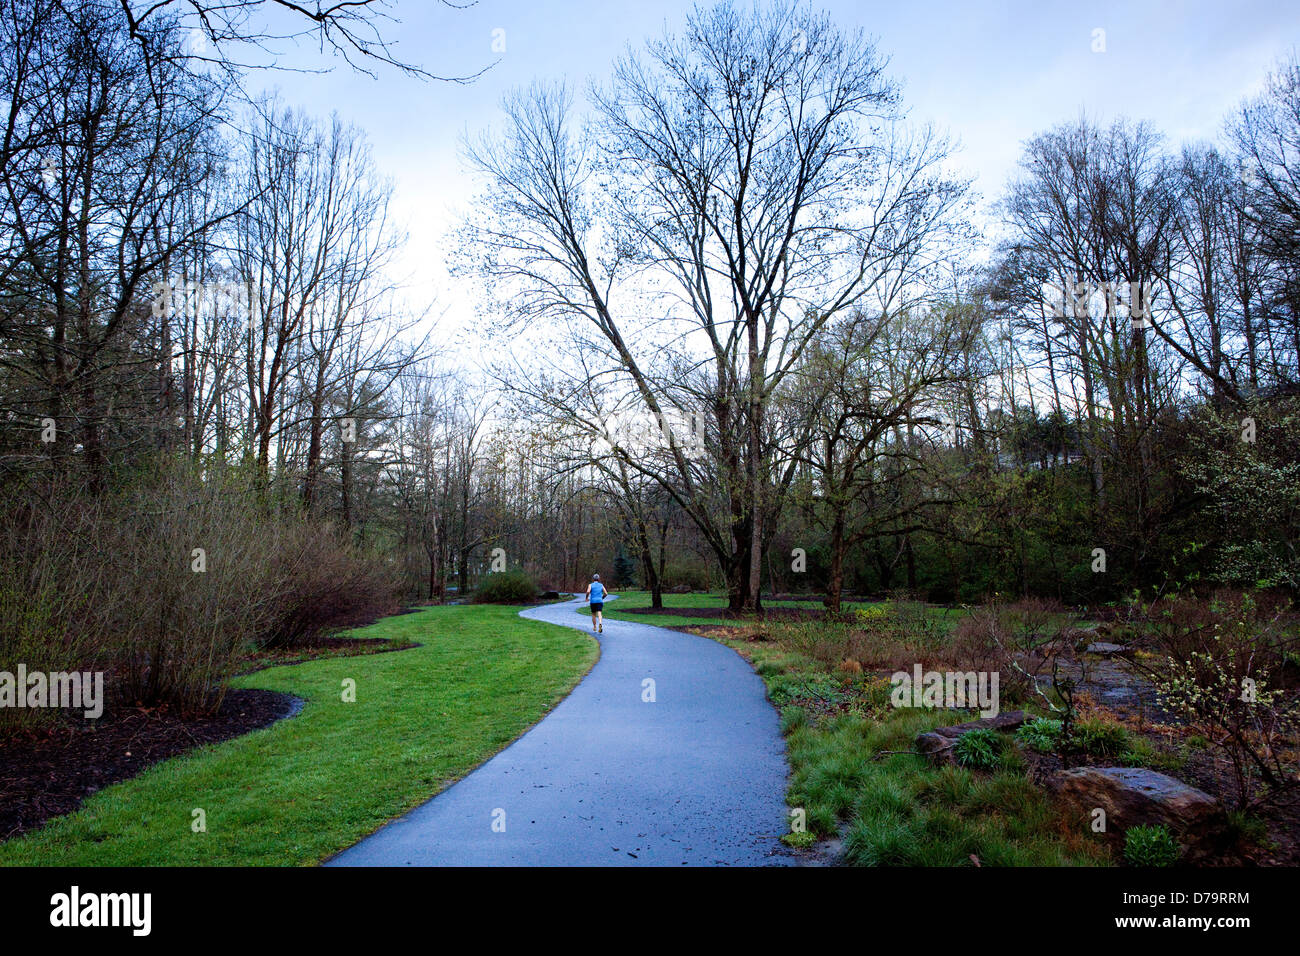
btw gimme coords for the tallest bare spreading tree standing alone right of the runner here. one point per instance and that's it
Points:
(749, 179)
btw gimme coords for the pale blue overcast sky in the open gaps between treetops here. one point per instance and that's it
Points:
(991, 73)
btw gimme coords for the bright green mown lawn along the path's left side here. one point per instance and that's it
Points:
(307, 788)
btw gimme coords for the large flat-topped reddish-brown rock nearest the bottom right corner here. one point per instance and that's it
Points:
(1136, 797)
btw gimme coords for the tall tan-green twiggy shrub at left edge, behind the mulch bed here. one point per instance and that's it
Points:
(111, 582)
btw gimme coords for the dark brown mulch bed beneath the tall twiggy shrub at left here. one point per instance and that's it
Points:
(50, 773)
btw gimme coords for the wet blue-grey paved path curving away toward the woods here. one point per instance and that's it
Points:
(695, 778)
